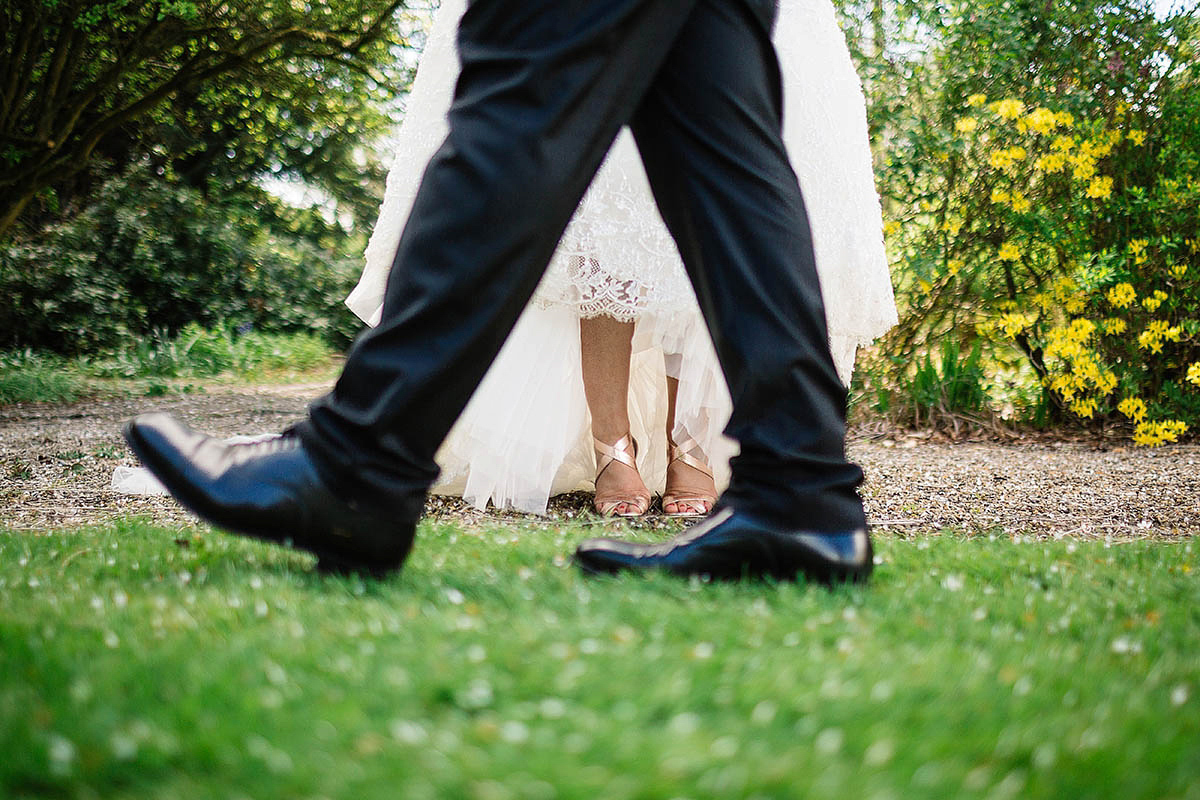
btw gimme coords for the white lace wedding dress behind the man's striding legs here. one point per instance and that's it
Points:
(525, 436)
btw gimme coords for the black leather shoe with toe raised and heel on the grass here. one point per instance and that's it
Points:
(272, 491)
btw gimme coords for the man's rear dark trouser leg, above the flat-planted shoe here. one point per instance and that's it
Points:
(710, 131)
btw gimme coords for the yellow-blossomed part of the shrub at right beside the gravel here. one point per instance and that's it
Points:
(1111, 324)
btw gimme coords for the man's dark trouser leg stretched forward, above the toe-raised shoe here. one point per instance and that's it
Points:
(545, 87)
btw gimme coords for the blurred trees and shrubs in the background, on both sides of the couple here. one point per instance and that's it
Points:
(217, 167)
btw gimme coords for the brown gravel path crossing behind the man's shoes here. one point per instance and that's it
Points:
(57, 465)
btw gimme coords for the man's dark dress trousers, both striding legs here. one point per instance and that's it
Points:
(545, 88)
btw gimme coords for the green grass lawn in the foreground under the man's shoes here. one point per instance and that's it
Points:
(141, 663)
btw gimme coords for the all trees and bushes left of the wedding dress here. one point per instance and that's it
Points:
(137, 137)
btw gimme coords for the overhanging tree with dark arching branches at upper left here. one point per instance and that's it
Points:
(220, 92)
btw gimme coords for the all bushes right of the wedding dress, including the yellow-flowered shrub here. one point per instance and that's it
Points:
(1041, 193)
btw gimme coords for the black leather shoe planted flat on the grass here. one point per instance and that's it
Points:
(733, 546)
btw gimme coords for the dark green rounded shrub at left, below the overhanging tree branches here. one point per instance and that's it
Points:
(148, 256)
